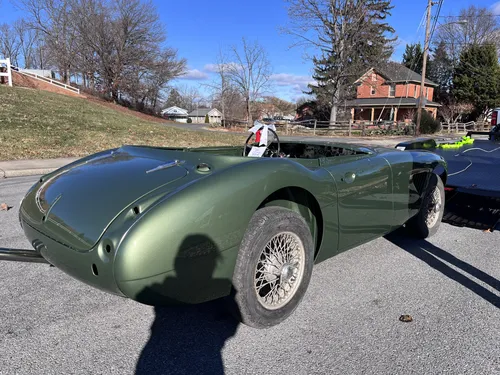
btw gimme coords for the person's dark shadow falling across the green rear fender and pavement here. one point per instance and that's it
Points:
(188, 339)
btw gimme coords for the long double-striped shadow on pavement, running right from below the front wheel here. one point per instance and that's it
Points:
(436, 258)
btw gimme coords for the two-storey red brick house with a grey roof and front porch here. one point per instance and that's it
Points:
(390, 93)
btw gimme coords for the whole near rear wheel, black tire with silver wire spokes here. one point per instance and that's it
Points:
(273, 268)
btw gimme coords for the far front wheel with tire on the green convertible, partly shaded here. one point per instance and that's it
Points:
(418, 225)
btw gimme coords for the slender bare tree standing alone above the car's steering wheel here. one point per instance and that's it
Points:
(250, 72)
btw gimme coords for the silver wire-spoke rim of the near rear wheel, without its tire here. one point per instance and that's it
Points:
(279, 270)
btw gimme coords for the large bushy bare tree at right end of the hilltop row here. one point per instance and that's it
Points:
(122, 43)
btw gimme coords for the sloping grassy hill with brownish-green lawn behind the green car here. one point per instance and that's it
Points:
(37, 124)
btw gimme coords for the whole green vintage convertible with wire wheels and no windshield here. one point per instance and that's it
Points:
(244, 224)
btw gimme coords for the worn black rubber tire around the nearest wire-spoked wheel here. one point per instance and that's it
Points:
(264, 225)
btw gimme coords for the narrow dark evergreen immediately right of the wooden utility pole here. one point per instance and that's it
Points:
(441, 72)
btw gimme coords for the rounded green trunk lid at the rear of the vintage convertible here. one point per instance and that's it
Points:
(75, 204)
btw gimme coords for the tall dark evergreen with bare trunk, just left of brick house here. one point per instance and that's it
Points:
(353, 38)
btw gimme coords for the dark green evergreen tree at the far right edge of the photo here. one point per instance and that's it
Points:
(477, 78)
